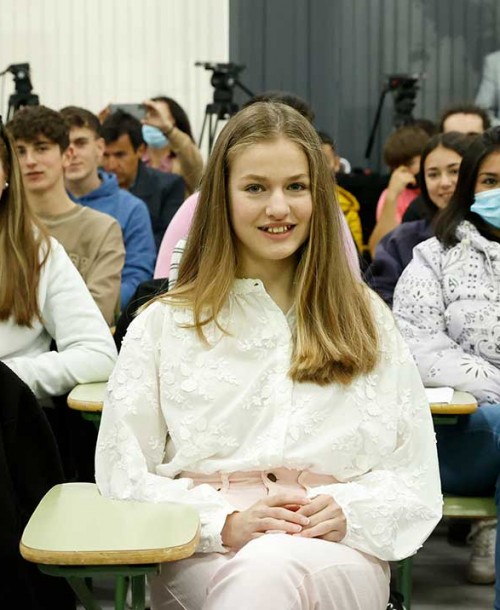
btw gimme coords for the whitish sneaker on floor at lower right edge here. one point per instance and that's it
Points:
(481, 568)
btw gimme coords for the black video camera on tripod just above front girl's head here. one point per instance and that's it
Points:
(224, 79)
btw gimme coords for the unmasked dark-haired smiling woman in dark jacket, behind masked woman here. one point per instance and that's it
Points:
(438, 176)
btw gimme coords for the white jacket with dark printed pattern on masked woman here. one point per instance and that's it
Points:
(447, 305)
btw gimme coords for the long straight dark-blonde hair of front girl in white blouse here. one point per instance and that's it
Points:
(335, 338)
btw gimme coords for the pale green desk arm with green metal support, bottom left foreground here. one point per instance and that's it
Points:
(78, 534)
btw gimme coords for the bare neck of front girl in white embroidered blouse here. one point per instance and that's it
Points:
(278, 280)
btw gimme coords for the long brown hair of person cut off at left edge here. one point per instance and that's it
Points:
(21, 240)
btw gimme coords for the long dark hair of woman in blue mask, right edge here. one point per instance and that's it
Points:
(459, 207)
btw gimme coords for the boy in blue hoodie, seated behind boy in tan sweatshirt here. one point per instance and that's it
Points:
(92, 187)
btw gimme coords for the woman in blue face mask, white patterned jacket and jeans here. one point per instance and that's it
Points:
(447, 305)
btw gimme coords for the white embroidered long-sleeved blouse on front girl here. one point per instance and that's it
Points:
(230, 406)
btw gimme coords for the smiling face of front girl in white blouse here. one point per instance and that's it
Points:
(270, 204)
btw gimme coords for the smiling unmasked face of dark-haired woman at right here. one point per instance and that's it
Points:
(441, 174)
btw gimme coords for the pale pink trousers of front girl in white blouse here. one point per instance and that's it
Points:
(275, 571)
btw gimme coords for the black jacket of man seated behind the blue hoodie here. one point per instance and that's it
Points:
(162, 193)
